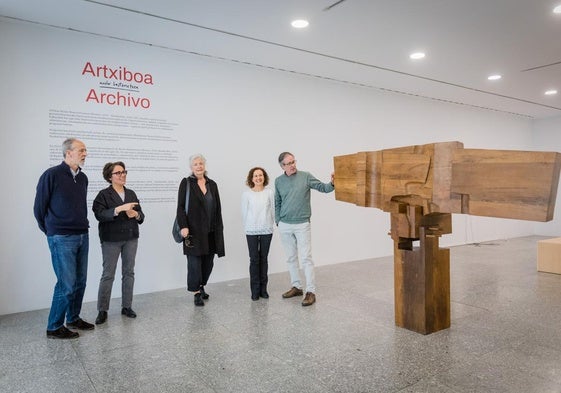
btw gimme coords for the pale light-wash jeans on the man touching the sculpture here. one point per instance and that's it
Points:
(297, 243)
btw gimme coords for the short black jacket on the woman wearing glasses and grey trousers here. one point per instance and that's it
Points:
(120, 227)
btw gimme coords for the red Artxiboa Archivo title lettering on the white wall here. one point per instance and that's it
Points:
(120, 79)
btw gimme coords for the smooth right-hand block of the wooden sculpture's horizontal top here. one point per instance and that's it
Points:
(507, 184)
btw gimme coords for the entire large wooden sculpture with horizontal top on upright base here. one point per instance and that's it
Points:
(420, 186)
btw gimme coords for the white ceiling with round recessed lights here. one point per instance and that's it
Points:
(363, 42)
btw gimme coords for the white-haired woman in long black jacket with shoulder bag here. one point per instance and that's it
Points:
(200, 220)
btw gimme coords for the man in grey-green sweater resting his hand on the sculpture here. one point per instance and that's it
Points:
(292, 215)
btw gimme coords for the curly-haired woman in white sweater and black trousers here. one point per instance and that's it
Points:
(258, 214)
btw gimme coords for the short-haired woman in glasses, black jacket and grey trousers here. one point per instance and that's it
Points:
(118, 211)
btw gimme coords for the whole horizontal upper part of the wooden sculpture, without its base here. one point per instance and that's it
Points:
(450, 179)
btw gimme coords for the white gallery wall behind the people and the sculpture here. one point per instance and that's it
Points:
(238, 116)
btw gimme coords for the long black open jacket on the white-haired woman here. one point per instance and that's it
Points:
(197, 218)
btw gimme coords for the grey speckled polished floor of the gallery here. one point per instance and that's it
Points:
(505, 336)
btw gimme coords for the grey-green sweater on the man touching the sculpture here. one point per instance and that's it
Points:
(292, 196)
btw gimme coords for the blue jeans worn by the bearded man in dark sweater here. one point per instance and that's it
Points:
(69, 255)
